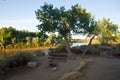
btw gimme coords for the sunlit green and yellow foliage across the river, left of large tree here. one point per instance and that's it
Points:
(11, 38)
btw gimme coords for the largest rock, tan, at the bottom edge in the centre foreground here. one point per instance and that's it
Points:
(71, 75)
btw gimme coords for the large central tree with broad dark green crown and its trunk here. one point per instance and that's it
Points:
(65, 22)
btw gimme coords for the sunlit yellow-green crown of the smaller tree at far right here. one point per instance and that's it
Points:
(107, 31)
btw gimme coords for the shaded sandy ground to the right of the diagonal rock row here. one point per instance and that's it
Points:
(103, 69)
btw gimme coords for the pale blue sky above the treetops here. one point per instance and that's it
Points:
(20, 14)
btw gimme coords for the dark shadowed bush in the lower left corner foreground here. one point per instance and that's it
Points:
(18, 59)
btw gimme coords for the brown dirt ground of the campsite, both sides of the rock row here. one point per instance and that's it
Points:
(102, 69)
